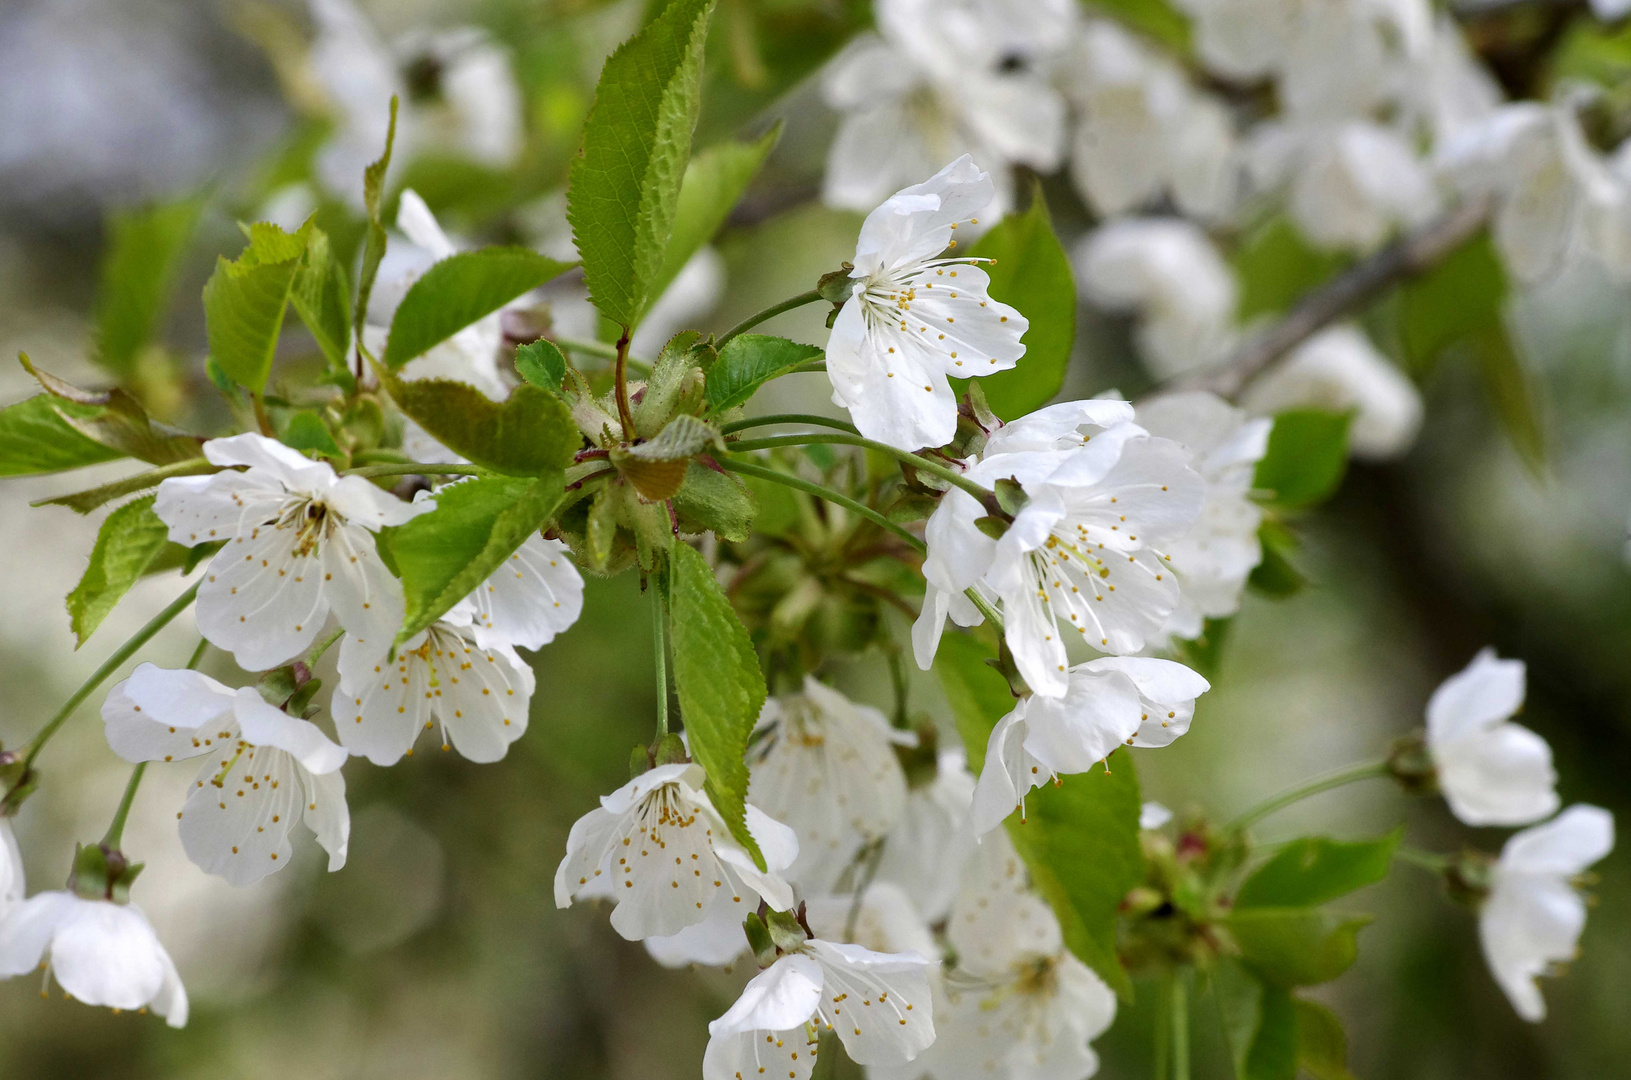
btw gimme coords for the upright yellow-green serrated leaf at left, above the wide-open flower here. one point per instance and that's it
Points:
(245, 301)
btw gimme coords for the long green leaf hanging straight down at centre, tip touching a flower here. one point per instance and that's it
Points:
(718, 684)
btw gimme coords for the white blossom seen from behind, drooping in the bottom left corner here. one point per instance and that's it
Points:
(100, 954)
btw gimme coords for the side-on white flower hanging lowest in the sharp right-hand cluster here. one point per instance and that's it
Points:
(1110, 702)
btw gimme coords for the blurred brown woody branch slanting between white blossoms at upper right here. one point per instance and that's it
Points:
(1408, 257)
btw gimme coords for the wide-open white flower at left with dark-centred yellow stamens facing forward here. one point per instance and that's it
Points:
(299, 542)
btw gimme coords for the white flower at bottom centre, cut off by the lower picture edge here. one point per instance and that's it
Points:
(877, 1003)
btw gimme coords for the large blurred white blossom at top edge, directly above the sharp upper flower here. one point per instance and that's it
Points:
(945, 79)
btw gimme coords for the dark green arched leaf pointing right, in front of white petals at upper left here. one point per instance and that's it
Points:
(459, 291)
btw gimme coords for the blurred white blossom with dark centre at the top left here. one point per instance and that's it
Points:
(456, 89)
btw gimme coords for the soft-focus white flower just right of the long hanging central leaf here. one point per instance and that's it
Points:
(828, 769)
